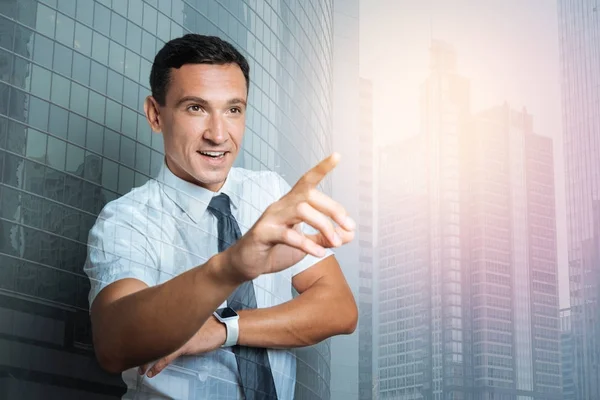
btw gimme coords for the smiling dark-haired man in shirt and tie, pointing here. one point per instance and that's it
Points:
(192, 273)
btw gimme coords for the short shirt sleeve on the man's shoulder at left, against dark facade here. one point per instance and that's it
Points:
(119, 249)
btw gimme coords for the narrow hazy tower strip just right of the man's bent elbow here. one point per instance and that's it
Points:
(366, 221)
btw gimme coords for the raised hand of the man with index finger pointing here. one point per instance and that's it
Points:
(275, 241)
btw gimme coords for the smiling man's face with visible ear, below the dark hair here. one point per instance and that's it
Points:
(202, 121)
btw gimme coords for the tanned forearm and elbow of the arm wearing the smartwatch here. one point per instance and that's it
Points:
(310, 318)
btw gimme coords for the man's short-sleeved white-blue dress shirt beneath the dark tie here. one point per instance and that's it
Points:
(161, 229)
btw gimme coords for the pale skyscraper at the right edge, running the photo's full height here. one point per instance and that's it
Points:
(579, 34)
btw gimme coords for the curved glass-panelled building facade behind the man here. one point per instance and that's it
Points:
(73, 78)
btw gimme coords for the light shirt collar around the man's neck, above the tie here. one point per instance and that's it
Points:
(194, 199)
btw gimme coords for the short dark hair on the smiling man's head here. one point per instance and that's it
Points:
(192, 49)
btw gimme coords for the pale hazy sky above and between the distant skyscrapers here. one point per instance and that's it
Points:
(507, 49)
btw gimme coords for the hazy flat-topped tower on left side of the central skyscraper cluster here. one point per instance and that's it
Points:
(403, 296)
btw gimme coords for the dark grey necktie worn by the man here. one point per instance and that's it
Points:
(253, 363)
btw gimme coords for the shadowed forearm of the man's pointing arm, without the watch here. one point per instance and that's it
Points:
(156, 321)
